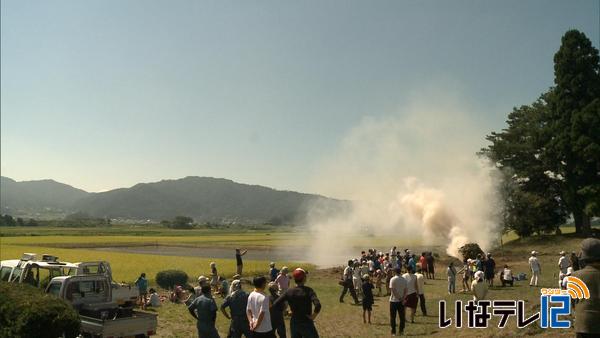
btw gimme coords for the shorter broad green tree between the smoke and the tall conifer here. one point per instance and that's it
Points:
(531, 195)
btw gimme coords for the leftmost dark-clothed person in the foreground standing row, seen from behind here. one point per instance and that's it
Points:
(204, 309)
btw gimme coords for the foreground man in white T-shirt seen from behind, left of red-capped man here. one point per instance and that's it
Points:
(257, 310)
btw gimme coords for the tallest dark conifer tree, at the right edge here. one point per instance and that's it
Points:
(572, 150)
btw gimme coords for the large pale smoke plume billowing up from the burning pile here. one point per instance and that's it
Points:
(414, 176)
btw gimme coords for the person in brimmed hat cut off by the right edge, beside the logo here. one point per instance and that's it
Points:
(587, 311)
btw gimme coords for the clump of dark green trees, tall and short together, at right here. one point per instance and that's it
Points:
(549, 153)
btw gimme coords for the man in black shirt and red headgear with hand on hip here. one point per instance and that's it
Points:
(301, 299)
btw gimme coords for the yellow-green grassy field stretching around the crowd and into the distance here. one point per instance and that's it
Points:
(336, 319)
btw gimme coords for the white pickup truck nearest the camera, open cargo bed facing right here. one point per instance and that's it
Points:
(100, 316)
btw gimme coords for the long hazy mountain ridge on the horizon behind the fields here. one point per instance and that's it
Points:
(204, 199)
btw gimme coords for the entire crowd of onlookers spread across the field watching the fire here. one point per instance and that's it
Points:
(399, 275)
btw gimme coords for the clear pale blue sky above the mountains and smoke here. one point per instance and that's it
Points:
(105, 94)
